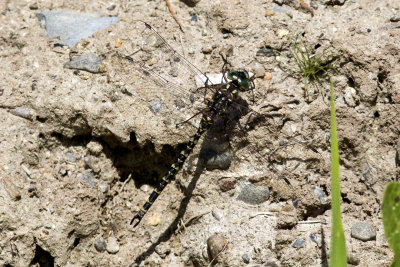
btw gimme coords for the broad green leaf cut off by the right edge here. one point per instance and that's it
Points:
(391, 219)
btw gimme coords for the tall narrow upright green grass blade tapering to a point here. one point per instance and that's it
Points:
(338, 256)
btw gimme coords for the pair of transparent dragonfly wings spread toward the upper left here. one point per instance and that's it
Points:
(155, 60)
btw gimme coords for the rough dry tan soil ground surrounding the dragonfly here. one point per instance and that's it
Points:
(76, 169)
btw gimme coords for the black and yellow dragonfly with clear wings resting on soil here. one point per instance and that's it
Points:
(154, 59)
